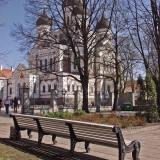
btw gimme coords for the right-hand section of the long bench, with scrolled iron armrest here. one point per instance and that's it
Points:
(101, 134)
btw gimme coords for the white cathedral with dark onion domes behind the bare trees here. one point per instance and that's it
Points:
(52, 66)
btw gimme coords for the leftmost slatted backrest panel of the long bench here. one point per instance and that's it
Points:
(25, 121)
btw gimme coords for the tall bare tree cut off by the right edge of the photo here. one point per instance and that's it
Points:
(144, 28)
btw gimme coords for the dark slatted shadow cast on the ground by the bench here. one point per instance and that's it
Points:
(46, 152)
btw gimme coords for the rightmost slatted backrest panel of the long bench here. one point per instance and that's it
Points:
(95, 133)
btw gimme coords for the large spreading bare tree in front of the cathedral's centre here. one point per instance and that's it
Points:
(77, 22)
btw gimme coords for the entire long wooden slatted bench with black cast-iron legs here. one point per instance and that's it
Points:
(77, 131)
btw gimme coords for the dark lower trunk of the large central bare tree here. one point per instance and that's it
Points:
(85, 94)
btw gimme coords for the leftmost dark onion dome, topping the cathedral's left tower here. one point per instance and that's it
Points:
(44, 19)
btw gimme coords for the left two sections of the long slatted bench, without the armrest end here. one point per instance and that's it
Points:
(41, 125)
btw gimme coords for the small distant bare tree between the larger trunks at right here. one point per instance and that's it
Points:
(130, 64)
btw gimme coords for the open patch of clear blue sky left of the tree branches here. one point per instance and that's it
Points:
(10, 13)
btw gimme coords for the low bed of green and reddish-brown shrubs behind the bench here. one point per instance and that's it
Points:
(111, 119)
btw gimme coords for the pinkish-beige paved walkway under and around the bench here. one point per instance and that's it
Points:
(148, 137)
